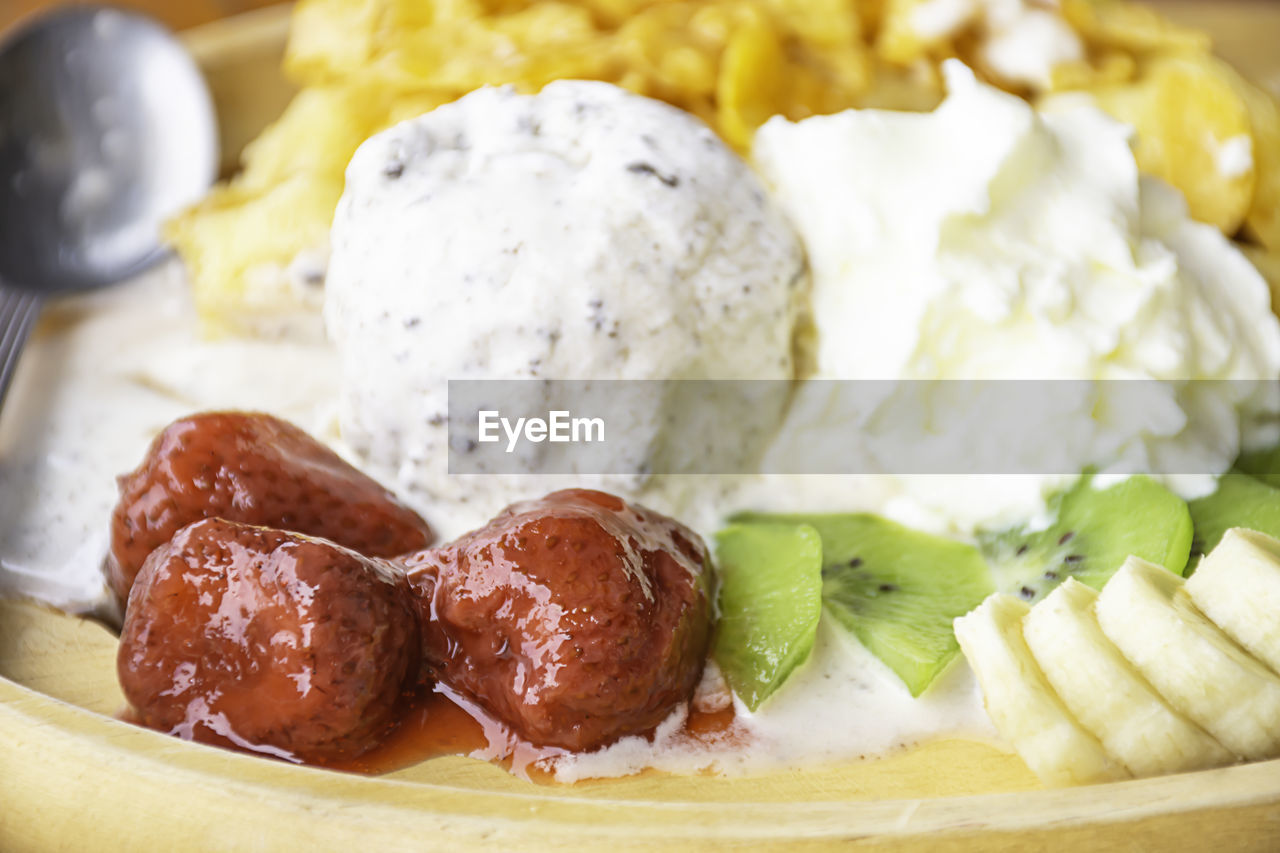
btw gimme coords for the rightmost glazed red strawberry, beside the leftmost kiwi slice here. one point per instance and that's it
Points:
(577, 619)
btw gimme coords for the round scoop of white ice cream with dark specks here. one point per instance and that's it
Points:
(580, 234)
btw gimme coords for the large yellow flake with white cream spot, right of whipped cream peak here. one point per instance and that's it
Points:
(1194, 131)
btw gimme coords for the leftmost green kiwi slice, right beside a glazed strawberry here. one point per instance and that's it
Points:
(770, 605)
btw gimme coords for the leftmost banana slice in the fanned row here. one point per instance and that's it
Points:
(1023, 705)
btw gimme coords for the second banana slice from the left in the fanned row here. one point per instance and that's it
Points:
(1107, 695)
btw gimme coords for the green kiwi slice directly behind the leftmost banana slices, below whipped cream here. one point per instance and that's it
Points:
(1092, 533)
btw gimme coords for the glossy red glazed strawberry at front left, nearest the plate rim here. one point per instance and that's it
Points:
(268, 641)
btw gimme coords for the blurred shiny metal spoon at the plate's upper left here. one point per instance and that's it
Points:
(107, 129)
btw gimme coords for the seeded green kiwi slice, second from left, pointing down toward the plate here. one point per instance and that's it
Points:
(897, 590)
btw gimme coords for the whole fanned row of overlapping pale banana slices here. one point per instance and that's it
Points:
(1151, 676)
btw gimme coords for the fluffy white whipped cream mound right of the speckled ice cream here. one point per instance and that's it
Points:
(990, 241)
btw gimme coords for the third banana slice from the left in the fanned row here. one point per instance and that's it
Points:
(1199, 669)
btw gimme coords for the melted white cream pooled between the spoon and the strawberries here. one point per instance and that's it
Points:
(103, 375)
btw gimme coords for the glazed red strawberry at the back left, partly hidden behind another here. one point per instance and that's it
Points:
(255, 469)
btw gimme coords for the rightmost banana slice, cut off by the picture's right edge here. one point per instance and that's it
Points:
(1238, 587)
